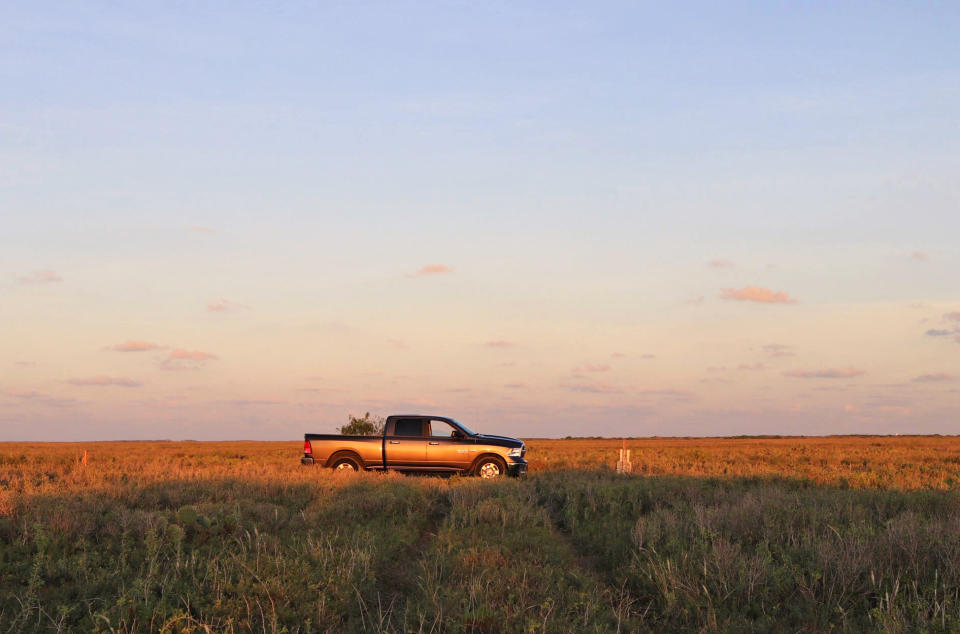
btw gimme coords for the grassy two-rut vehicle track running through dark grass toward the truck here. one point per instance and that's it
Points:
(498, 563)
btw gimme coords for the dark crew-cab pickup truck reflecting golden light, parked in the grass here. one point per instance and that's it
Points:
(419, 443)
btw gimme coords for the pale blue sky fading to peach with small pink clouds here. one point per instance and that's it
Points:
(250, 220)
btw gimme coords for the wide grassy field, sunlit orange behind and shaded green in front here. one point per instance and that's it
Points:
(732, 535)
